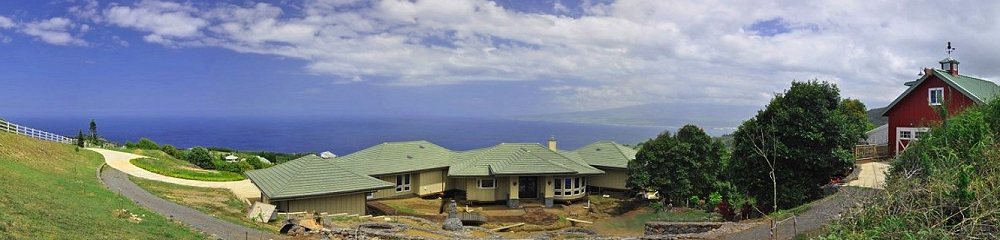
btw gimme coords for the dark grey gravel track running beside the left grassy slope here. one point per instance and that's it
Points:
(118, 181)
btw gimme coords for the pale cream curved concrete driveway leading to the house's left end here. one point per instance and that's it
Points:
(243, 189)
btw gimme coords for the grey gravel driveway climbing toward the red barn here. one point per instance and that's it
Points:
(821, 213)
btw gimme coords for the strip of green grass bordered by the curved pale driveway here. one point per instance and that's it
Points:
(170, 166)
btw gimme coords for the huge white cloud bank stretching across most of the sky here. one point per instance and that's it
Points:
(617, 53)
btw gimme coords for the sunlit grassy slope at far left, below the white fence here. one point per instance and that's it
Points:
(51, 191)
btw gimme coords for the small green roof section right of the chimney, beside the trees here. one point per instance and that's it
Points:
(603, 154)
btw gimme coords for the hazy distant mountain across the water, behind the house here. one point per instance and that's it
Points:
(716, 119)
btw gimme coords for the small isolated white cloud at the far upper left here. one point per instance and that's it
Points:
(53, 31)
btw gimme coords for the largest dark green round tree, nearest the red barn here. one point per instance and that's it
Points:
(792, 147)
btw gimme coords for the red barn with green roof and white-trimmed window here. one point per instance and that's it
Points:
(915, 110)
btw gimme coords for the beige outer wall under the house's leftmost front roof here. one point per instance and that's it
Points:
(351, 204)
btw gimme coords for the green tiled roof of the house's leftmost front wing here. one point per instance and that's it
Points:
(311, 176)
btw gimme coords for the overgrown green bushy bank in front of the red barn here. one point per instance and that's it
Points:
(946, 186)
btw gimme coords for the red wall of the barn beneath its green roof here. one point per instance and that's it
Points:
(915, 111)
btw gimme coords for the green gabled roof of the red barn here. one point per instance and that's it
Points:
(979, 90)
